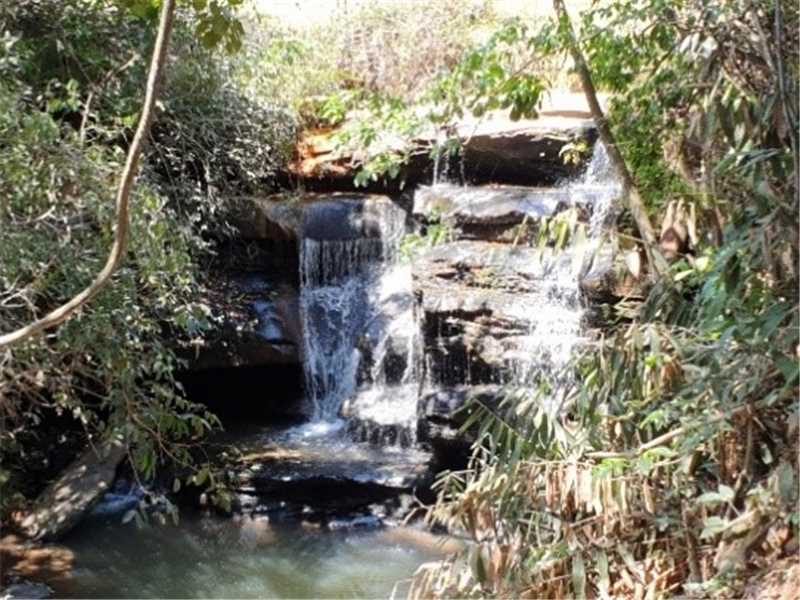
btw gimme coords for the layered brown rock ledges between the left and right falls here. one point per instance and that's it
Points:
(476, 298)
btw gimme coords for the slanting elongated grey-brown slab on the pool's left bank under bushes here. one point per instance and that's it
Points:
(65, 502)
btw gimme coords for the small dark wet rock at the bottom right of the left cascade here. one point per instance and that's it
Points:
(442, 413)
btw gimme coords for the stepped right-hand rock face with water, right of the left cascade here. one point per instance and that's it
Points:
(498, 312)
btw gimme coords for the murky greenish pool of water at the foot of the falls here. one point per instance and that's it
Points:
(212, 557)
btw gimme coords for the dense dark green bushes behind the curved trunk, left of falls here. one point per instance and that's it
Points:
(71, 75)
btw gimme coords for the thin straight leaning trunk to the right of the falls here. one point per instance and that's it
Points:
(630, 192)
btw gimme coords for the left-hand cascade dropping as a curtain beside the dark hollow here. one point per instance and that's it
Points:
(360, 345)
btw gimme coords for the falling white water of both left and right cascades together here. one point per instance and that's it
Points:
(362, 352)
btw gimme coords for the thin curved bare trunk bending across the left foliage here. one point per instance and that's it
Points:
(117, 253)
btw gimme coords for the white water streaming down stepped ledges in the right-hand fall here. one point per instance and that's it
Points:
(552, 312)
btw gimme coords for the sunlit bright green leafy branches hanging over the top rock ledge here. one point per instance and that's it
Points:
(381, 133)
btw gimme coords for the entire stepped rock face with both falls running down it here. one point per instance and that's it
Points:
(442, 335)
